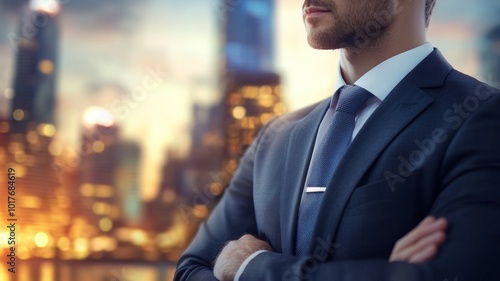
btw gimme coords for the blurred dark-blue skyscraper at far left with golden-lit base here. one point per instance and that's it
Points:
(42, 206)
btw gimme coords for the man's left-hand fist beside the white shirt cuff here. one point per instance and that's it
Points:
(235, 253)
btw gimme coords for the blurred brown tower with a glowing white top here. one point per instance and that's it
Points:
(95, 195)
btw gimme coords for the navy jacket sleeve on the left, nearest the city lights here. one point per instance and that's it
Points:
(233, 217)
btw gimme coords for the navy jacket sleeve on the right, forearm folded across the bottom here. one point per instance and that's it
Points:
(469, 197)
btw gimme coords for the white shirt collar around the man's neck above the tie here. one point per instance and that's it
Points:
(390, 71)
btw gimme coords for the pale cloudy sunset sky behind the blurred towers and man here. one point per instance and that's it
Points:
(109, 47)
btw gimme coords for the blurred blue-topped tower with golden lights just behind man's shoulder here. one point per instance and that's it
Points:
(250, 86)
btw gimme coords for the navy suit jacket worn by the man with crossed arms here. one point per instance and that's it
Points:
(432, 147)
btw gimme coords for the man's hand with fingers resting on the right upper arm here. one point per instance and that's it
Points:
(421, 244)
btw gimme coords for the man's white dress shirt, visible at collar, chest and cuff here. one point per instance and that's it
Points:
(379, 81)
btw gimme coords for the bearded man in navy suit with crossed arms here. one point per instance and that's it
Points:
(333, 191)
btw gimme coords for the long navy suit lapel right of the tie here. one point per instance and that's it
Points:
(399, 109)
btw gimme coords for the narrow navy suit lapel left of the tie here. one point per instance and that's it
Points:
(299, 151)
